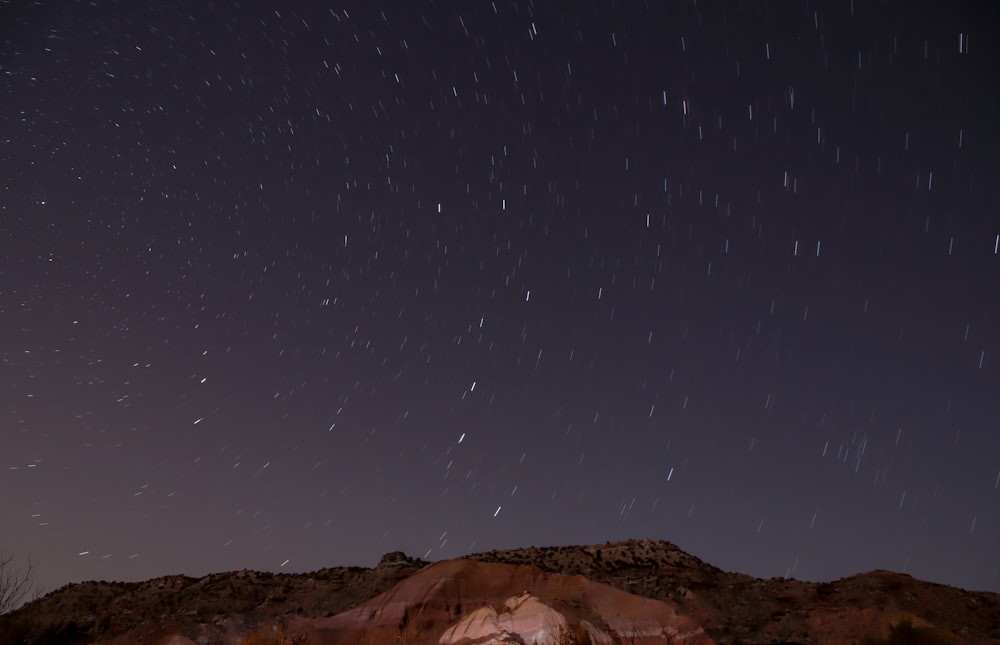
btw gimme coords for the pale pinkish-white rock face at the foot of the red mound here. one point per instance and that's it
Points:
(523, 619)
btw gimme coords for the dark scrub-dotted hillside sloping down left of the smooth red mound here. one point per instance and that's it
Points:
(93, 611)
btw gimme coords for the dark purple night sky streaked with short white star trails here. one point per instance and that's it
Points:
(290, 288)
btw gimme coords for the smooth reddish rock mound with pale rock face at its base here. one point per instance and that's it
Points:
(463, 602)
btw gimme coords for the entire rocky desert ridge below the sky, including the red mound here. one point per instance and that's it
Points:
(639, 591)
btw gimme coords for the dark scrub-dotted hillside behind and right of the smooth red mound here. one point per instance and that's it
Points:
(735, 608)
